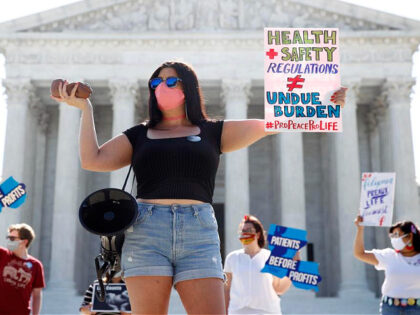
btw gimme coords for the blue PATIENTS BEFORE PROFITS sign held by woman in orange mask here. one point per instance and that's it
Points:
(284, 242)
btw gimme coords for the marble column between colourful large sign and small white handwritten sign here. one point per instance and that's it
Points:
(346, 146)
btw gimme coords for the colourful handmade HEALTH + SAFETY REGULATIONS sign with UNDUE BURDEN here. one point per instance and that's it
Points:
(301, 72)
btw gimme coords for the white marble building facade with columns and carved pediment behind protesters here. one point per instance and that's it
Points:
(303, 180)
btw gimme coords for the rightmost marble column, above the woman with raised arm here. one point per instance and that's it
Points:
(401, 141)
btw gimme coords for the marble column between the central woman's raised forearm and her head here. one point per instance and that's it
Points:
(123, 95)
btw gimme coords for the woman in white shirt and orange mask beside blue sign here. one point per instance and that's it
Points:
(248, 290)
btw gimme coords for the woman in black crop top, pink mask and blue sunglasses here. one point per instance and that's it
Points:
(175, 155)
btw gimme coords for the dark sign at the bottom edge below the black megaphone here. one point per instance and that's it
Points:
(116, 298)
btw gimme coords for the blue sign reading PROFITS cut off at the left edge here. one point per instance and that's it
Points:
(12, 193)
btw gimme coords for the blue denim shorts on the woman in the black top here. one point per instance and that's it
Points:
(175, 240)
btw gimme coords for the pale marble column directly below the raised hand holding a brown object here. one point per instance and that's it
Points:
(66, 200)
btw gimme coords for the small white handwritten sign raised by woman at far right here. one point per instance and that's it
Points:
(377, 198)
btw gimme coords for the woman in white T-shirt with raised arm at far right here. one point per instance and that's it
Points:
(401, 288)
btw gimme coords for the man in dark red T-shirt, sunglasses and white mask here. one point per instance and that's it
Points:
(21, 275)
